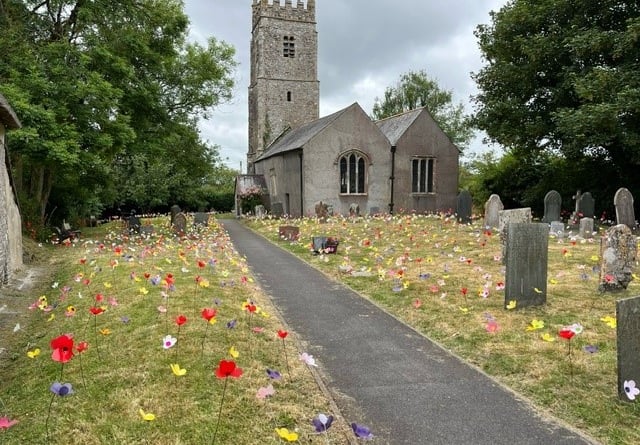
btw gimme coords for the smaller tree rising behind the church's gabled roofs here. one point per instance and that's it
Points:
(417, 90)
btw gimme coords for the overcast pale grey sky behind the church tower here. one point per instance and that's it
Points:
(364, 46)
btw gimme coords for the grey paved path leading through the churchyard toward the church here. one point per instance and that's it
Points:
(385, 375)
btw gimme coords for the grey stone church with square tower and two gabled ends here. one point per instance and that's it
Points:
(345, 160)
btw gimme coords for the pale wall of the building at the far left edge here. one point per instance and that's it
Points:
(10, 221)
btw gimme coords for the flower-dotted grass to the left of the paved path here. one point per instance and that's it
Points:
(126, 369)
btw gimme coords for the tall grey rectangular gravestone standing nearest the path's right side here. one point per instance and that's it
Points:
(526, 261)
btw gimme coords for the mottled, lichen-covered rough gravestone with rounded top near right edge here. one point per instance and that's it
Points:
(618, 249)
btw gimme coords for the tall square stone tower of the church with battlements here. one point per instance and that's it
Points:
(284, 90)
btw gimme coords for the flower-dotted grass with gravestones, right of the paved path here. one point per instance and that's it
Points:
(419, 266)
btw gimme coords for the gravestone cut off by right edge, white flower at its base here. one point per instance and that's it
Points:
(628, 347)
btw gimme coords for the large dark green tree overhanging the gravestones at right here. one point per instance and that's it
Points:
(561, 77)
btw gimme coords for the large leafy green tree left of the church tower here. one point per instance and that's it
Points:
(102, 87)
